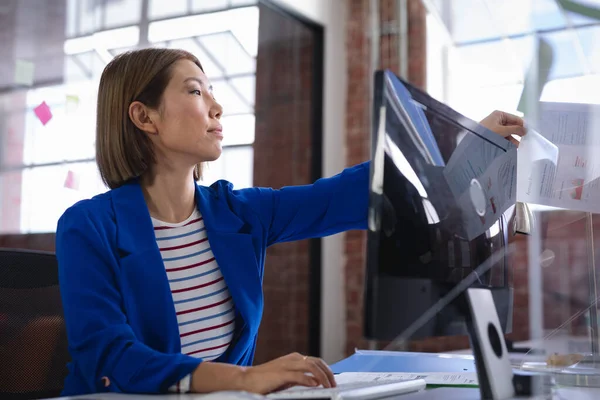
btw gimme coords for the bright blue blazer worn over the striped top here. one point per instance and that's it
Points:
(119, 312)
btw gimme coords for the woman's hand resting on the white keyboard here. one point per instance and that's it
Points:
(290, 370)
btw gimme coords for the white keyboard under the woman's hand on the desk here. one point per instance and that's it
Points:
(352, 391)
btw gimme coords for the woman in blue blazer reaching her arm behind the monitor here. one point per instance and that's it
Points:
(161, 278)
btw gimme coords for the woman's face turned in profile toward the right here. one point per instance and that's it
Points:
(187, 121)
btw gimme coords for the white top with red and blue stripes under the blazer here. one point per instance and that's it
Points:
(205, 312)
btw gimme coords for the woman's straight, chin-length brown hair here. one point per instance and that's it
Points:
(123, 151)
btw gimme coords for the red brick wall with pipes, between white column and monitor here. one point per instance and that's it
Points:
(358, 118)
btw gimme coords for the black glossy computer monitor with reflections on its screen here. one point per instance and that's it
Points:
(442, 194)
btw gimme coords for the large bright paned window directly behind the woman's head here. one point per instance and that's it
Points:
(58, 156)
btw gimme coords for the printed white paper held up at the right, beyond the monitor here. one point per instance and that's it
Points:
(560, 166)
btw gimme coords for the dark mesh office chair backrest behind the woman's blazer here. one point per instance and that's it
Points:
(33, 340)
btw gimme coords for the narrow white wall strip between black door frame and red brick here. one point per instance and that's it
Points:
(332, 15)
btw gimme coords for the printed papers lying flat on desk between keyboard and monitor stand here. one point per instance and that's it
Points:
(468, 379)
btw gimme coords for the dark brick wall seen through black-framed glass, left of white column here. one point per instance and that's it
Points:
(282, 156)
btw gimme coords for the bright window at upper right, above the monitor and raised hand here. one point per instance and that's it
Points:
(478, 60)
